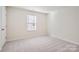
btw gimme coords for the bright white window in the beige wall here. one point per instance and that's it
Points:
(31, 23)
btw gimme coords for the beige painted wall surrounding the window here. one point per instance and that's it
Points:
(17, 24)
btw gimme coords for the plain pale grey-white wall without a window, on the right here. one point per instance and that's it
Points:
(64, 24)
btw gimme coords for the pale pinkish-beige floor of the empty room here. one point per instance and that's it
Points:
(40, 44)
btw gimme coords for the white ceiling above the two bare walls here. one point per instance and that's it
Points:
(45, 9)
